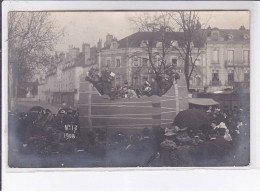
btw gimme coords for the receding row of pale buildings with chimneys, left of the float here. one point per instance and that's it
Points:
(63, 78)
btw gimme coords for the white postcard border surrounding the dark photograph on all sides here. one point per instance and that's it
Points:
(14, 174)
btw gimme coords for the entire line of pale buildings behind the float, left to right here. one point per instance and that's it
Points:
(223, 62)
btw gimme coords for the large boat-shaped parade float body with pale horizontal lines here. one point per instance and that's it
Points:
(98, 111)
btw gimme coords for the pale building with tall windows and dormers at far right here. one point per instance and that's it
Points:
(228, 58)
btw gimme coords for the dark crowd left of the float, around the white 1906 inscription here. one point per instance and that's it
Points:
(40, 131)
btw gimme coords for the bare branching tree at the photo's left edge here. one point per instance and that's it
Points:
(31, 38)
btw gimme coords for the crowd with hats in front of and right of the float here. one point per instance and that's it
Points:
(223, 143)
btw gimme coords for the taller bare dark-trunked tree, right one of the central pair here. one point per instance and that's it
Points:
(194, 37)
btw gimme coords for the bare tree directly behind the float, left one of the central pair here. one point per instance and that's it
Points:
(157, 44)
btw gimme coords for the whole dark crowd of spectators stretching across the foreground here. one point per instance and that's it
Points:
(224, 142)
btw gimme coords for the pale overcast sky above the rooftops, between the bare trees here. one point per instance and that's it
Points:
(89, 27)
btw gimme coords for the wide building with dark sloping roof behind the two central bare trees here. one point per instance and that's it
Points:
(128, 58)
